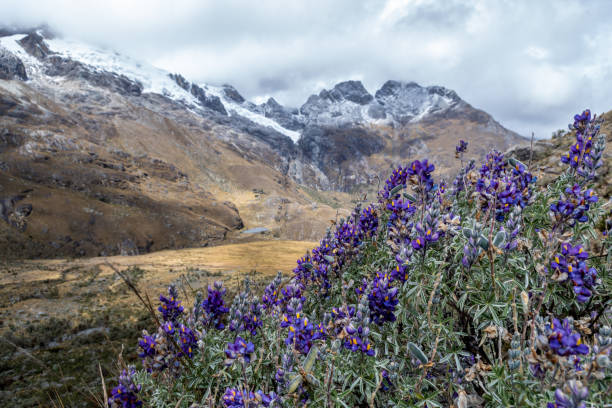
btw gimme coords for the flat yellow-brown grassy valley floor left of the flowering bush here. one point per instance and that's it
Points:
(59, 318)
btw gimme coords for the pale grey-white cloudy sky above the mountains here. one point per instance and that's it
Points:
(531, 64)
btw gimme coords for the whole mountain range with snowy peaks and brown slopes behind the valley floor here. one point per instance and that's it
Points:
(101, 154)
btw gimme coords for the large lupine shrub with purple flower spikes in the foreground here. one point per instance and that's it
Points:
(488, 294)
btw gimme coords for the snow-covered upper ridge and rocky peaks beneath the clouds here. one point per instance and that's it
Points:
(347, 103)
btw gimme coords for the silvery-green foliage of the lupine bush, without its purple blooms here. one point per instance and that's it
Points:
(463, 333)
